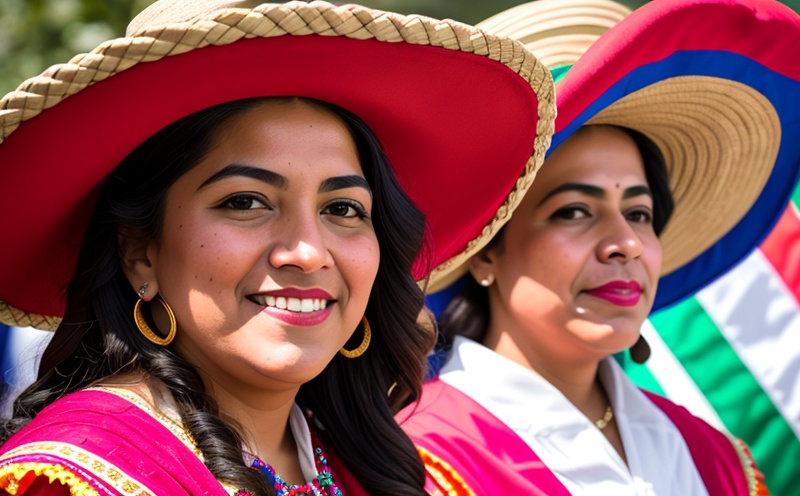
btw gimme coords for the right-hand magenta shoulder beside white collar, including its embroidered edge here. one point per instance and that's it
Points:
(724, 462)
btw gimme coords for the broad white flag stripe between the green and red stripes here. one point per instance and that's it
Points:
(760, 318)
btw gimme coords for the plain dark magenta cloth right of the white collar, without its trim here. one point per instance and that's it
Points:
(713, 454)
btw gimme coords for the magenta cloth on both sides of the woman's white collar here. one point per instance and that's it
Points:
(490, 456)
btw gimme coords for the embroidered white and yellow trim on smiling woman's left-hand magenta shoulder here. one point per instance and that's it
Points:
(14, 475)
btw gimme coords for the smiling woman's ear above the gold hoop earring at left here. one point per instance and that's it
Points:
(137, 256)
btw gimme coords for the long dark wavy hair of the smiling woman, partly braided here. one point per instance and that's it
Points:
(98, 338)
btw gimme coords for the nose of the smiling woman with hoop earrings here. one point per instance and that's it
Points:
(299, 242)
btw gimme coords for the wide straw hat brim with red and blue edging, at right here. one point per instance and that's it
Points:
(721, 106)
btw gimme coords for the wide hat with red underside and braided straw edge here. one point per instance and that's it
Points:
(445, 99)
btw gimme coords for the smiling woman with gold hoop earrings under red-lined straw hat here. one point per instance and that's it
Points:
(220, 217)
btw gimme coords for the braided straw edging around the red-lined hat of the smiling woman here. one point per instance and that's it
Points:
(152, 38)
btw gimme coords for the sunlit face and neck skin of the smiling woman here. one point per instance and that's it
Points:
(295, 216)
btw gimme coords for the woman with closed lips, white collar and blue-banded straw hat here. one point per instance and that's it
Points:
(675, 150)
